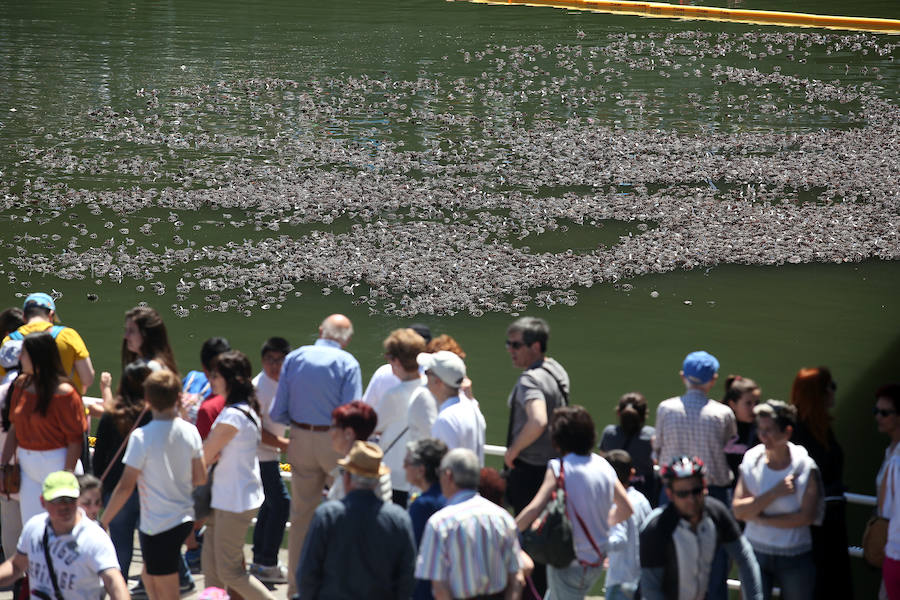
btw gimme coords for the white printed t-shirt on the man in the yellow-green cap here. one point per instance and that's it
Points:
(78, 557)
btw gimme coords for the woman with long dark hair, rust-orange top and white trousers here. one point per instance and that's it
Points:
(47, 420)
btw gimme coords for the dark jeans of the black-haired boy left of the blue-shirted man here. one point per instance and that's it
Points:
(272, 516)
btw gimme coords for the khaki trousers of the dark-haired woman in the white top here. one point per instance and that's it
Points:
(223, 554)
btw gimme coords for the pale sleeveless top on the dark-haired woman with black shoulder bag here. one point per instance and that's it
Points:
(590, 488)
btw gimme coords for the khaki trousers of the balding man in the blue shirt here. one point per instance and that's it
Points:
(312, 460)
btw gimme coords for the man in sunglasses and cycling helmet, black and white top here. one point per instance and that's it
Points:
(678, 541)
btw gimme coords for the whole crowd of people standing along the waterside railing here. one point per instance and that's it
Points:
(389, 493)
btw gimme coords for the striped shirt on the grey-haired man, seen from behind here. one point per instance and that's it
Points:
(471, 544)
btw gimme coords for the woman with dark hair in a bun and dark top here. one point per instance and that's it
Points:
(636, 438)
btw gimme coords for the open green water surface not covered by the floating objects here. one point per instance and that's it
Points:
(59, 60)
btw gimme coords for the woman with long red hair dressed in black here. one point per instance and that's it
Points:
(813, 394)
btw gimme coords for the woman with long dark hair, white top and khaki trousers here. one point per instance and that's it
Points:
(237, 491)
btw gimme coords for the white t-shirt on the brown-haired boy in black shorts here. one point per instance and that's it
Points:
(163, 451)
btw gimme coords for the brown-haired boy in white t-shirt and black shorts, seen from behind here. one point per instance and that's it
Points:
(166, 456)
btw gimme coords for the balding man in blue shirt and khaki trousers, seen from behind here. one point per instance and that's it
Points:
(314, 381)
